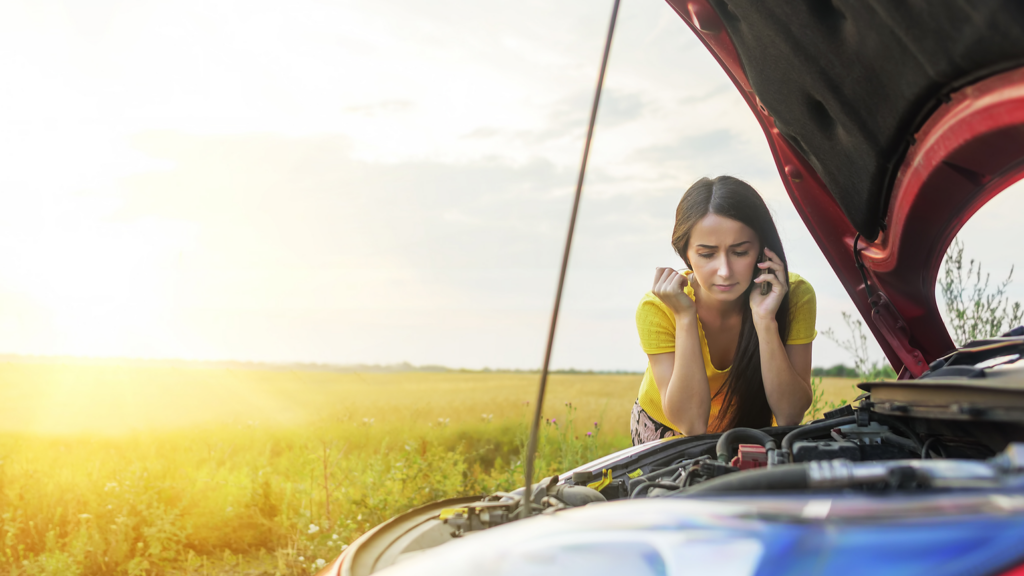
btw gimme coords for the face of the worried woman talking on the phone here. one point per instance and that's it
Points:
(723, 256)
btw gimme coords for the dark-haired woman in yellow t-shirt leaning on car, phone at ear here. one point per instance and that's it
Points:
(716, 315)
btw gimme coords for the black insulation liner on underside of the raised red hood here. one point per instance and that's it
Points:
(849, 83)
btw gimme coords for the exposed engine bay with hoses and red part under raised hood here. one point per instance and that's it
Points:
(959, 427)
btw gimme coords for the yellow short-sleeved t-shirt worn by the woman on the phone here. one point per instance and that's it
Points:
(657, 326)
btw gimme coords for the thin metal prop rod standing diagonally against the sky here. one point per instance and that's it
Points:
(535, 429)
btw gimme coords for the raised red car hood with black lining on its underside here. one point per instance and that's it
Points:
(891, 125)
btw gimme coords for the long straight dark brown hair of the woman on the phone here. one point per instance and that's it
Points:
(744, 400)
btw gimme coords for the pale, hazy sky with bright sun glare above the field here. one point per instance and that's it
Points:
(387, 182)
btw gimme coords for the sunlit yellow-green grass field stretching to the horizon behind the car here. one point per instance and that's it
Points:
(136, 469)
